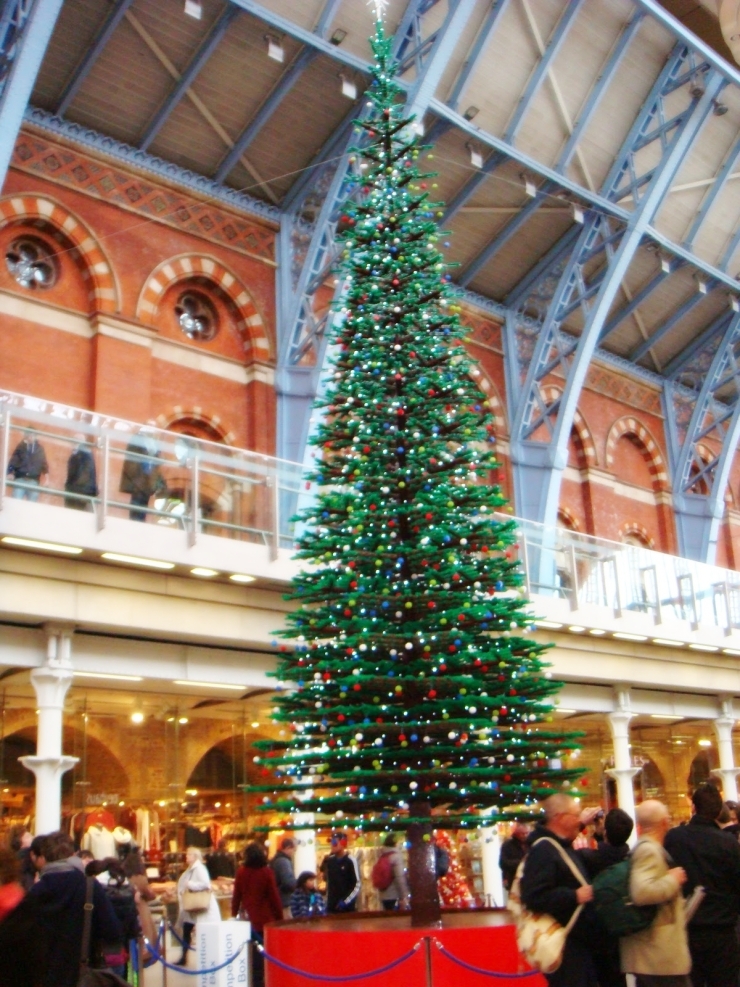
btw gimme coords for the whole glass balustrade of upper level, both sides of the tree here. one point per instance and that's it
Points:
(199, 487)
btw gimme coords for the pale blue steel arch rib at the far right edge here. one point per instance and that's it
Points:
(699, 514)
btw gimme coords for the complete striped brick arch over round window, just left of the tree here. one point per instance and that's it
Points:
(250, 323)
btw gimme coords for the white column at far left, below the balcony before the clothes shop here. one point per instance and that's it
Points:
(51, 682)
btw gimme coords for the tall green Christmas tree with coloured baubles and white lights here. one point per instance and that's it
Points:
(413, 686)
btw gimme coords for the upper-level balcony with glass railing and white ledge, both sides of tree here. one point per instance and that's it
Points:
(224, 513)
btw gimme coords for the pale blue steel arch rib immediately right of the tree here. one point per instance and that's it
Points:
(539, 460)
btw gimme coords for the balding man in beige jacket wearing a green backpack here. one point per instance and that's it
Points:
(658, 955)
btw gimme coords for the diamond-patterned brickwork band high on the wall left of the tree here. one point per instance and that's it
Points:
(56, 163)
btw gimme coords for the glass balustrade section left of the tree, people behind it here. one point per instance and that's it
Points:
(116, 468)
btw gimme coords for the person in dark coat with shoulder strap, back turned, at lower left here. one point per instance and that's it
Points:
(59, 900)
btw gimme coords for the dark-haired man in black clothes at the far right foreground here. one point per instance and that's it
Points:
(711, 859)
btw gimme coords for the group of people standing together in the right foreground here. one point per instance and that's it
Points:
(689, 874)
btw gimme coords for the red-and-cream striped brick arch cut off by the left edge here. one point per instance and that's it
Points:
(42, 211)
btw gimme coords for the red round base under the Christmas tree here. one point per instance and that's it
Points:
(351, 944)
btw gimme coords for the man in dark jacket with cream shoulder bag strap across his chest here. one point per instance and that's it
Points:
(549, 886)
